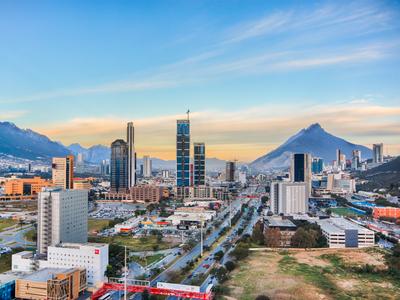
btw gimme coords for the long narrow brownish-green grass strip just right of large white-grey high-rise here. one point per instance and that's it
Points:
(149, 243)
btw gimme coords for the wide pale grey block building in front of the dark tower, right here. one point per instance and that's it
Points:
(289, 197)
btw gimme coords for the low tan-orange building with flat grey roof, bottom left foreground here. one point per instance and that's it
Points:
(51, 283)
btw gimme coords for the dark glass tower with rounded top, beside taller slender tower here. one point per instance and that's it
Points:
(119, 166)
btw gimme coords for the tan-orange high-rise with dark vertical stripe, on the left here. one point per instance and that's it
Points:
(62, 169)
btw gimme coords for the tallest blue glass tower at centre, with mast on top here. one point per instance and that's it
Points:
(183, 153)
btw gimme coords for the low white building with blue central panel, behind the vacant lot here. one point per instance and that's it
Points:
(341, 233)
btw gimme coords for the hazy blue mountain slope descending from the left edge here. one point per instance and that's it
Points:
(28, 144)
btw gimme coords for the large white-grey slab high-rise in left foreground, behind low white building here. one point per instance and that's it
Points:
(62, 217)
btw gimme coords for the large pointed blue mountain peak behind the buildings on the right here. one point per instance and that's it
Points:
(314, 140)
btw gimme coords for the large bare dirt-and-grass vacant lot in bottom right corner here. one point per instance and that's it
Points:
(322, 274)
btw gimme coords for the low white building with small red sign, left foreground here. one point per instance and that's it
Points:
(92, 257)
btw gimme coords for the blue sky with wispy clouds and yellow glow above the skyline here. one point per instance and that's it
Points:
(251, 72)
